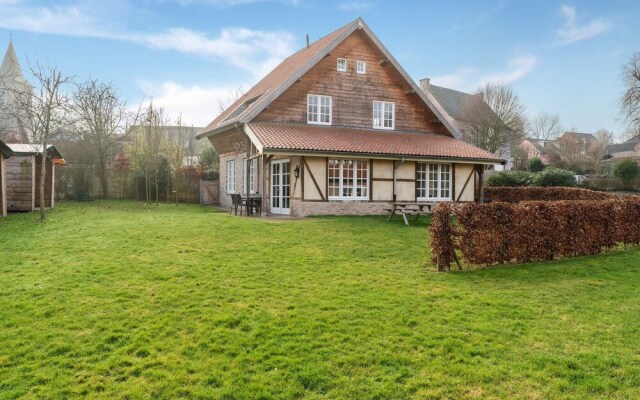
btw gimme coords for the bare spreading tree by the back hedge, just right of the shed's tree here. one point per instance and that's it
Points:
(102, 118)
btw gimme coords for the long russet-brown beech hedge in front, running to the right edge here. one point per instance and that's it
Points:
(497, 233)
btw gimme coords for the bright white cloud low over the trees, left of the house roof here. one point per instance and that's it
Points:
(197, 104)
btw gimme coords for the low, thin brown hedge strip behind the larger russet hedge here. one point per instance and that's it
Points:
(528, 193)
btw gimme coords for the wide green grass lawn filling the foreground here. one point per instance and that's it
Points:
(117, 300)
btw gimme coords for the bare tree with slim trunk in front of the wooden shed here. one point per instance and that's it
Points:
(43, 111)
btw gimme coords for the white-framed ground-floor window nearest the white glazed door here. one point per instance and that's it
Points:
(348, 179)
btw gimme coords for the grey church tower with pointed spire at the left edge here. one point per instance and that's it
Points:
(12, 83)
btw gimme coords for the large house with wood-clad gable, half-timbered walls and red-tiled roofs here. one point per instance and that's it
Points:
(339, 127)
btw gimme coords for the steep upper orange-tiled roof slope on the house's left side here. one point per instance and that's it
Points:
(274, 79)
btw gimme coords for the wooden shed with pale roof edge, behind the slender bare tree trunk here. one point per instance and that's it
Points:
(22, 177)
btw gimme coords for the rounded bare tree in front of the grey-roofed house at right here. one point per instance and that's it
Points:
(499, 127)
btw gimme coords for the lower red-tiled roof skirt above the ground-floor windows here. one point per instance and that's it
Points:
(314, 138)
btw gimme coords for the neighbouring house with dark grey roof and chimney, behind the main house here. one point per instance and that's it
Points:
(463, 110)
